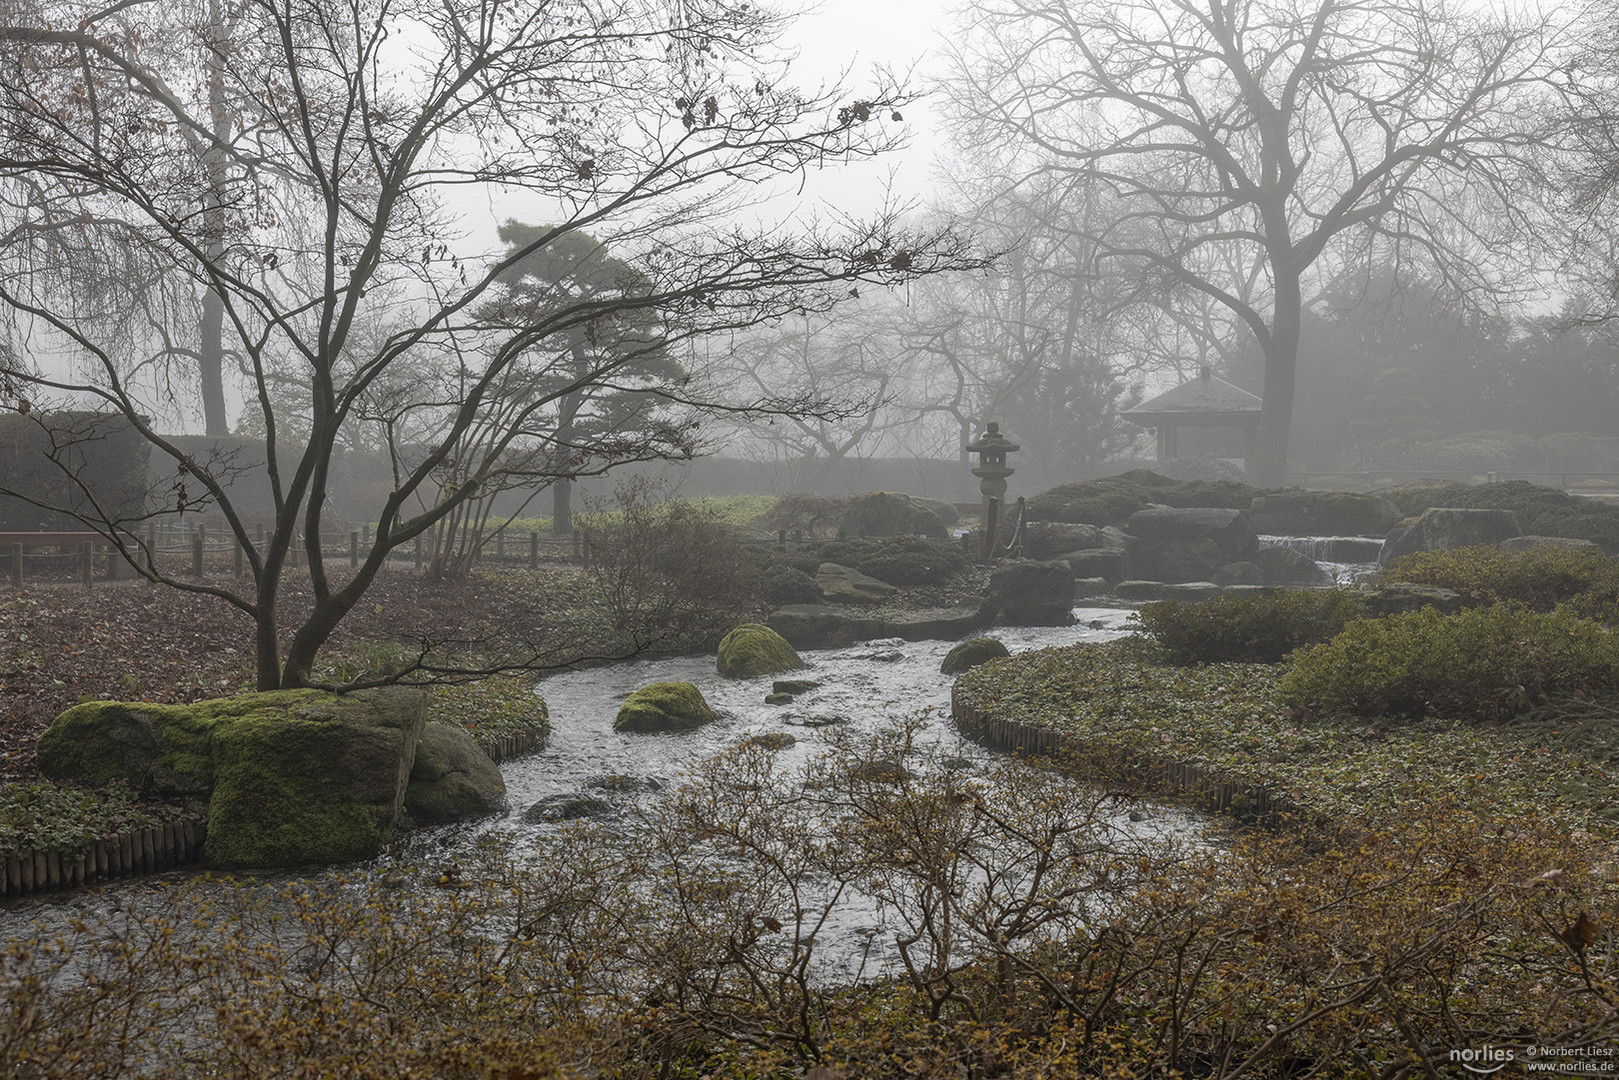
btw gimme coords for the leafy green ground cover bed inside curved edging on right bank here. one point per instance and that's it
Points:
(1124, 712)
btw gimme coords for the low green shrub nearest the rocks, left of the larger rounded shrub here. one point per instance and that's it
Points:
(1249, 629)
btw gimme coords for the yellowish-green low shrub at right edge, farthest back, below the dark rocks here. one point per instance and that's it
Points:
(1539, 579)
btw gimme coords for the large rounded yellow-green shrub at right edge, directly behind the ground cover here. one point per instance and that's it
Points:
(1487, 665)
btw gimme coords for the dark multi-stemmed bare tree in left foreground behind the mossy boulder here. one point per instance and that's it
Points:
(359, 130)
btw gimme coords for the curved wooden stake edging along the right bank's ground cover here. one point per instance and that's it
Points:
(1183, 778)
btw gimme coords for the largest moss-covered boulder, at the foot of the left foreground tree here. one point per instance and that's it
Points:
(291, 778)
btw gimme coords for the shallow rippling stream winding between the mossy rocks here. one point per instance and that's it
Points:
(590, 768)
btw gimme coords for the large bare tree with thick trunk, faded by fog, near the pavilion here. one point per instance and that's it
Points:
(1251, 143)
